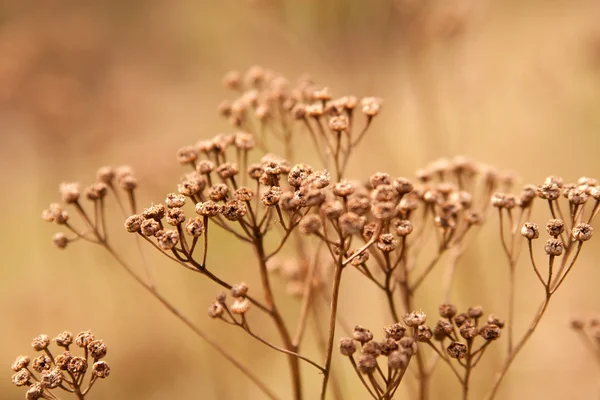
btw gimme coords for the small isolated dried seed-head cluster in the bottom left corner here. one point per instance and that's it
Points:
(65, 372)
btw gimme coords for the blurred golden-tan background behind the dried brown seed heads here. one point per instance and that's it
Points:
(90, 83)
